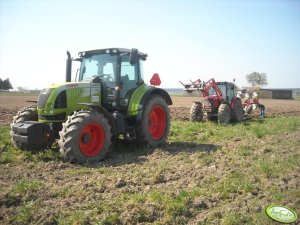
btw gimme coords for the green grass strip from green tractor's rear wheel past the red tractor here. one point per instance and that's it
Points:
(209, 131)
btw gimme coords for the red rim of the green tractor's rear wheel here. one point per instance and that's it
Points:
(157, 122)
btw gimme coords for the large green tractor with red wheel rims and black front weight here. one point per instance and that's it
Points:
(109, 101)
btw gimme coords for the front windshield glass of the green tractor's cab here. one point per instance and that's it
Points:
(102, 65)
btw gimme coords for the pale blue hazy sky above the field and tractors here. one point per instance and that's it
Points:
(184, 40)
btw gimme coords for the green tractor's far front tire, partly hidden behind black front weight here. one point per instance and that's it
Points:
(28, 113)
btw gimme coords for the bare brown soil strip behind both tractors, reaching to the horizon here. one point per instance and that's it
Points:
(9, 106)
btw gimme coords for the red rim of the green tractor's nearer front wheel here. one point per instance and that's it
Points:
(91, 139)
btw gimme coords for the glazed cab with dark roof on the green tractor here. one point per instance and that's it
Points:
(119, 71)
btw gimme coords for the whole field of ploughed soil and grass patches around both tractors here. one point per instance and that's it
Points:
(206, 173)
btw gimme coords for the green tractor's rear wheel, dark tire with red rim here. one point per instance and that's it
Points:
(154, 126)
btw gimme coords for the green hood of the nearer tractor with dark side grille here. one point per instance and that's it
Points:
(60, 100)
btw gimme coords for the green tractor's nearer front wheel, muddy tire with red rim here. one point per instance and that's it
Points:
(85, 137)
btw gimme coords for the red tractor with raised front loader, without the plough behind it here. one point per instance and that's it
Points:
(220, 101)
